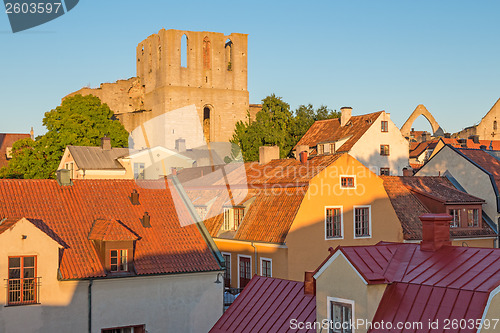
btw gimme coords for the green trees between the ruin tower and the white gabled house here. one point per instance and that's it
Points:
(276, 125)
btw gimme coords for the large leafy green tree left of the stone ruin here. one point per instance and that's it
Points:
(79, 120)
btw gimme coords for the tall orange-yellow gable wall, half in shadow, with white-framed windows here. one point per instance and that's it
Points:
(307, 246)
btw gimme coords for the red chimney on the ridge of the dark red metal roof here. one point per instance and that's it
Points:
(435, 231)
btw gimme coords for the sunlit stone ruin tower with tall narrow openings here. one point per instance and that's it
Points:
(177, 68)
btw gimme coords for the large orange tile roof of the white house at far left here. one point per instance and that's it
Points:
(70, 212)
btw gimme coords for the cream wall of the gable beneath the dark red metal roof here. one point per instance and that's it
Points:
(340, 280)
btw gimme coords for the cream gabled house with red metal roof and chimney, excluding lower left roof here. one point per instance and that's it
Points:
(424, 287)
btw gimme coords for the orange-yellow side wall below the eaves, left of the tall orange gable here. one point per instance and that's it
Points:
(278, 255)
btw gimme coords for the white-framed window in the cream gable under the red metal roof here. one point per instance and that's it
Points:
(340, 315)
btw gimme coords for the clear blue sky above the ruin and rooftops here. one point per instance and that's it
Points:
(370, 55)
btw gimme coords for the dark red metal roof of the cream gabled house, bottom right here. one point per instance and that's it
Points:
(452, 282)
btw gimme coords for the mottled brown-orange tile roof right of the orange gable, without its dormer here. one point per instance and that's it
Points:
(408, 207)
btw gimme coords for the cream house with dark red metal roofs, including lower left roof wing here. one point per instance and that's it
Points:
(387, 287)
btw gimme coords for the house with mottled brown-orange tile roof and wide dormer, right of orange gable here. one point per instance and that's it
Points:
(414, 196)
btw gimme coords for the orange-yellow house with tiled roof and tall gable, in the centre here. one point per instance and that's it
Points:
(279, 216)
